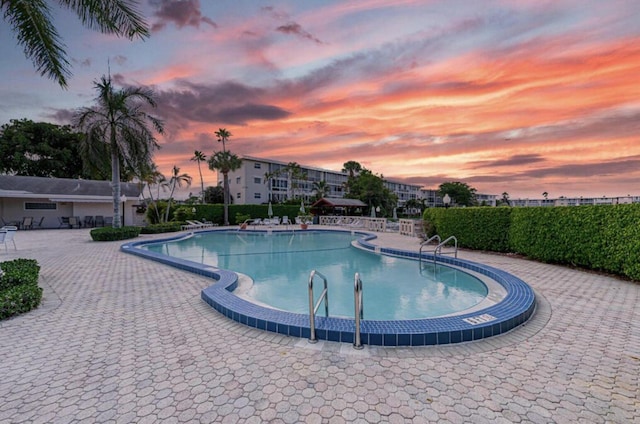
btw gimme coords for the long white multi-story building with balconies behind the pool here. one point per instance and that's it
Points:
(261, 180)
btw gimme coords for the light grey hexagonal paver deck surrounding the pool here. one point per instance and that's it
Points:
(123, 339)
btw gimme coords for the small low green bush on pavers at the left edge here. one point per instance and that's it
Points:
(19, 291)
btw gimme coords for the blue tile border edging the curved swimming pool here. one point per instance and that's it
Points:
(517, 306)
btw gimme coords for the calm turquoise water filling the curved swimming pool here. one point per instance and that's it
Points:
(280, 263)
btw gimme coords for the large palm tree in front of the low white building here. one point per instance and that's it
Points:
(117, 128)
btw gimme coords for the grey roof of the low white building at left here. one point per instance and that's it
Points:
(59, 188)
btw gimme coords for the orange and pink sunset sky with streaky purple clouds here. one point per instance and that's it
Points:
(524, 96)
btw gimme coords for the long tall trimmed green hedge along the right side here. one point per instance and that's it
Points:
(603, 237)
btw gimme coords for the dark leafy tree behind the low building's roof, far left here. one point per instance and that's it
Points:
(40, 149)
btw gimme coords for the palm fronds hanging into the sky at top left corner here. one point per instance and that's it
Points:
(31, 23)
